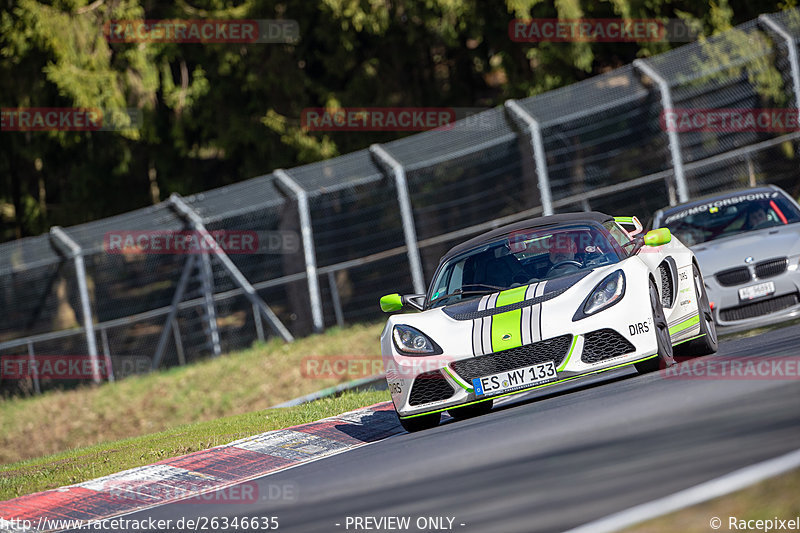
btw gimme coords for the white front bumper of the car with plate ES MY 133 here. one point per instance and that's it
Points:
(422, 385)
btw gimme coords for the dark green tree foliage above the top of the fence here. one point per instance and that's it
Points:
(213, 114)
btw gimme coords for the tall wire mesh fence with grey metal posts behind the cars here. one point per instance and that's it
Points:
(362, 224)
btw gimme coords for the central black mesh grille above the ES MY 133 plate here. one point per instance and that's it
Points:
(554, 349)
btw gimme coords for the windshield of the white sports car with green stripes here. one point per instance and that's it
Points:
(522, 258)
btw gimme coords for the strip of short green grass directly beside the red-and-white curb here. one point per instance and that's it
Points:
(87, 463)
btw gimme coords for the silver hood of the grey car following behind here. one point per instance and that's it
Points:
(731, 252)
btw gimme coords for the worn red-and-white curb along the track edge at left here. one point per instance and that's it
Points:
(190, 476)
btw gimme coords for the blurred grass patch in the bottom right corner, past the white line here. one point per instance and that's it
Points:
(776, 497)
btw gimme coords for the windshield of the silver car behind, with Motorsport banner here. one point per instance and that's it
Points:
(723, 217)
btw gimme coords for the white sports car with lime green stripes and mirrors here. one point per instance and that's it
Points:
(541, 302)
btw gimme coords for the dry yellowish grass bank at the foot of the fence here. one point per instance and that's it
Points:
(237, 383)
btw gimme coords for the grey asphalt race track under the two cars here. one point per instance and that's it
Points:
(547, 462)
